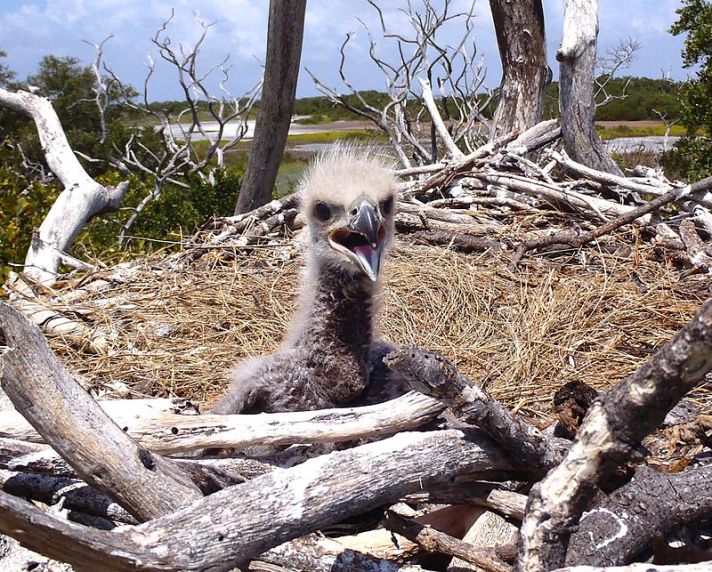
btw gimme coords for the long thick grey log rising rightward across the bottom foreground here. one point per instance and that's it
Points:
(241, 522)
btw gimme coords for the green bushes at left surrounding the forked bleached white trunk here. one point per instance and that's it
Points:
(26, 195)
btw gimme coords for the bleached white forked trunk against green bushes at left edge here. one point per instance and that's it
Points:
(81, 199)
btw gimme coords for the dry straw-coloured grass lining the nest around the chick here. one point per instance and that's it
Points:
(521, 334)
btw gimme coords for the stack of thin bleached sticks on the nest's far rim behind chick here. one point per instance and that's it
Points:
(518, 194)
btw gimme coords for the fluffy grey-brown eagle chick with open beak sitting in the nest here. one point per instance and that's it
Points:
(348, 197)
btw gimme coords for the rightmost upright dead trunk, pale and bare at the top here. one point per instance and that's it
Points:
(577, 59)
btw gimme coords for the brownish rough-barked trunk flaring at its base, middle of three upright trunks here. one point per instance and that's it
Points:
(525, 75)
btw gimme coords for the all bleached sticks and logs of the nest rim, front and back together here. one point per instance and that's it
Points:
(444, 477)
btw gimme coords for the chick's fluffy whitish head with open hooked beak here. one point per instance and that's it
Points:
(348, 196)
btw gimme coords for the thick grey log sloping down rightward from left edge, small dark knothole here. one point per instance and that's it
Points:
(77, 428)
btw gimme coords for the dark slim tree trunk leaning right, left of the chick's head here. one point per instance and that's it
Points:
(284, 49)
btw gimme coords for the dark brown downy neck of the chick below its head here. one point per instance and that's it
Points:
(337, 310)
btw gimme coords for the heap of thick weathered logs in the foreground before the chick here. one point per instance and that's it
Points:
(446, 470)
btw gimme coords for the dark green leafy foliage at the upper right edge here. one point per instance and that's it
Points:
(692, 157)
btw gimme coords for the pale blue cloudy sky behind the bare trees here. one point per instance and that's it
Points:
(30, 29)
